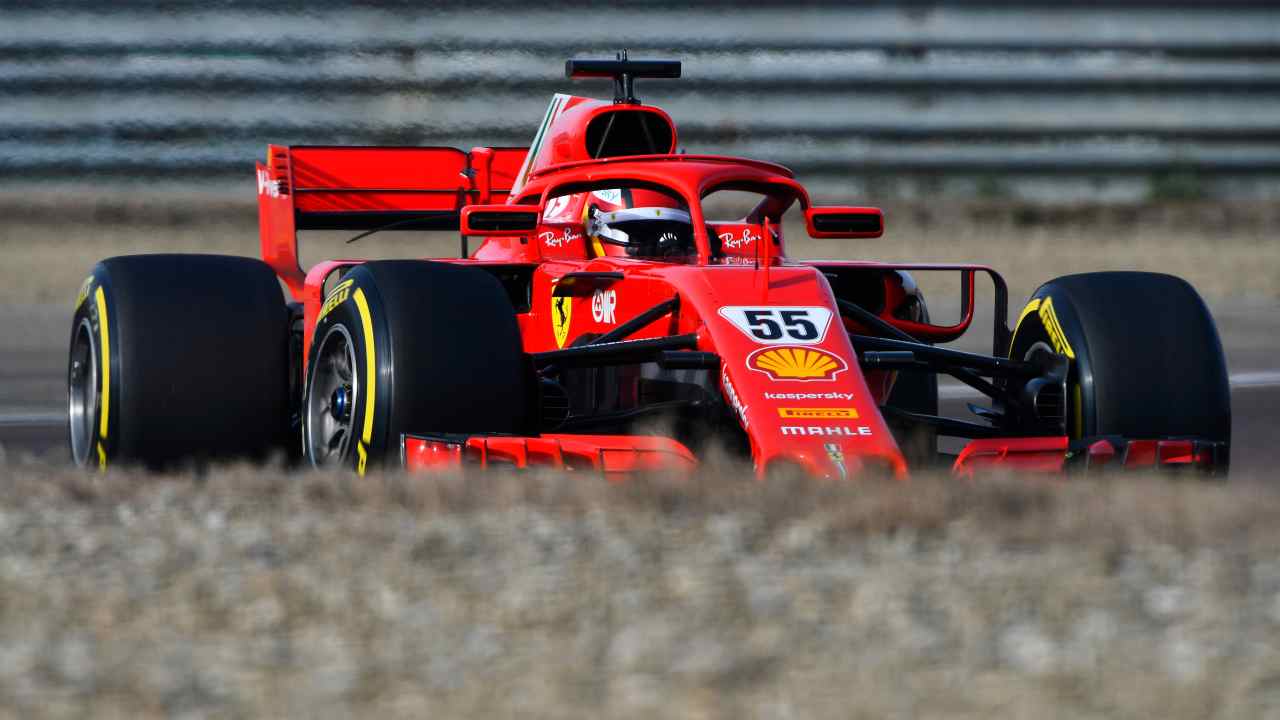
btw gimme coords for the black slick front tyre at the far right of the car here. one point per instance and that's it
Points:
(1145, 354)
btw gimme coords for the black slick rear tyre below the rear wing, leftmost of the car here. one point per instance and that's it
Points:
(176, 359)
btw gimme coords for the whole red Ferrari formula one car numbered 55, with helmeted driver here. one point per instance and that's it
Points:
(628, 308)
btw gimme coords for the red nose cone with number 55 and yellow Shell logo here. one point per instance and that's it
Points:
(789, 372)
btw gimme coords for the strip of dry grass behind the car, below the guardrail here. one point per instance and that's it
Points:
(1226, 252)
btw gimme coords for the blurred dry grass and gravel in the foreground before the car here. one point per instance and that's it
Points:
(262, 594)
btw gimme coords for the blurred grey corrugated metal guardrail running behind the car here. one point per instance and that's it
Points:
(1140, 90)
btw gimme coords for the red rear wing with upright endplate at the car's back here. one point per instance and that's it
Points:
(360, 189)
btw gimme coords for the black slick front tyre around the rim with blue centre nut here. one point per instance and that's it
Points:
(410, 347)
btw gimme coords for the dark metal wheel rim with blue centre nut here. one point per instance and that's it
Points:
(332, 398)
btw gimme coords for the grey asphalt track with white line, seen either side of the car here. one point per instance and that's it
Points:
(34, 398)
